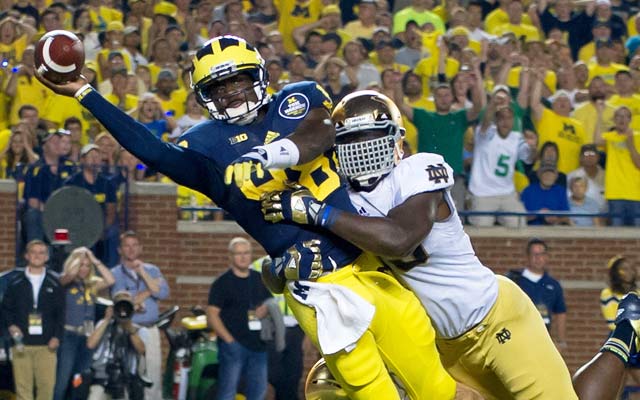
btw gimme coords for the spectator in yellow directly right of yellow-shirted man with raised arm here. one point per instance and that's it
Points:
(586, 112)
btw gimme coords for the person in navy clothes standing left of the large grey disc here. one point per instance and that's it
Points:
(42, 178)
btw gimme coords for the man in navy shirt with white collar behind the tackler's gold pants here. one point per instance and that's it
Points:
(545, 292)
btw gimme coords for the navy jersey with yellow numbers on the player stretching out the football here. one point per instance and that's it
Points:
(203, 153)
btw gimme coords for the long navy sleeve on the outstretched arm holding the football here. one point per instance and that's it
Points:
(183, 166)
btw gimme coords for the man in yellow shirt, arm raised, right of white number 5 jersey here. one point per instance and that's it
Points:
(556, 125)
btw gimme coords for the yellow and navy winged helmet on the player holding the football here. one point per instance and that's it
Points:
(223, 57)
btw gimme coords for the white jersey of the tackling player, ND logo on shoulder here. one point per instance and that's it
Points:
(454, 287)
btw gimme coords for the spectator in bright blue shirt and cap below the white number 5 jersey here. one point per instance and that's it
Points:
(546, 195)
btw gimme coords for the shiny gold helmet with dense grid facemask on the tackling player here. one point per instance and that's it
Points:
(365, 162)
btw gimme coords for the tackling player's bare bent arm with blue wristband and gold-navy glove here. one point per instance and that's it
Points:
(394, 236)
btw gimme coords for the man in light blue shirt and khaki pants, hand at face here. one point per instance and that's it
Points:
(147, 286)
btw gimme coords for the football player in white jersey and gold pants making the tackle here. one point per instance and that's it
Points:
(490, 335)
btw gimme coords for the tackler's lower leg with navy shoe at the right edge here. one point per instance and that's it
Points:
(603, 376)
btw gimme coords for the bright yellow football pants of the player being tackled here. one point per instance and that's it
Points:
(399, 338)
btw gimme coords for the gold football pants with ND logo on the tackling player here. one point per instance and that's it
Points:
(509, 355)
